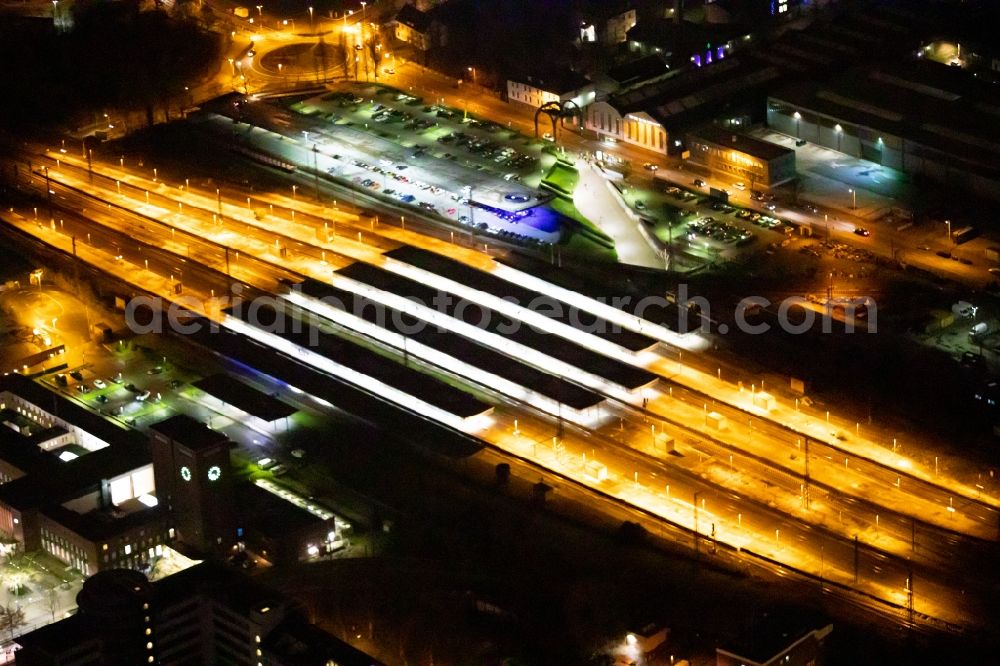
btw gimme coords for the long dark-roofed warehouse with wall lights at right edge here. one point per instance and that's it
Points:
(923, 118)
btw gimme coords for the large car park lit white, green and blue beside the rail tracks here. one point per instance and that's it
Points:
(433, 158)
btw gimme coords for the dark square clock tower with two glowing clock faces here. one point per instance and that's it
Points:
(191, 466)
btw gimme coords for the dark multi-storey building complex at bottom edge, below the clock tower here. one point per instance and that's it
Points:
(207, 614)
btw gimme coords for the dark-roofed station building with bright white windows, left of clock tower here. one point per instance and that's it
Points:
(74, 484)
